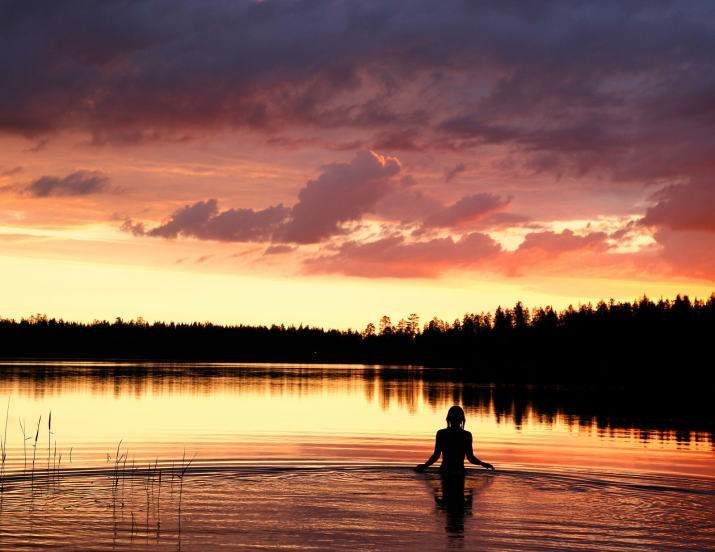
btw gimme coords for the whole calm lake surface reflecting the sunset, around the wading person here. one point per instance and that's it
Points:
(154, 456)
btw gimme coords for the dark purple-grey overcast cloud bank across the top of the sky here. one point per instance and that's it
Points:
(621, 87)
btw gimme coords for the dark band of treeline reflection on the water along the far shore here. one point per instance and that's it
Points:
(408, 387)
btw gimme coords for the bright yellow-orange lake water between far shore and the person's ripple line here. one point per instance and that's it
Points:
(262, 414)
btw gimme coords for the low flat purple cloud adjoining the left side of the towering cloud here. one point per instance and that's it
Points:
(204, 220)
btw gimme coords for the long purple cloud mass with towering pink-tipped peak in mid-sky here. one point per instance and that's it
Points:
(343, 193)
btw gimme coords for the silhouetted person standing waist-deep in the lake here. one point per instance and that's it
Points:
(453, 443)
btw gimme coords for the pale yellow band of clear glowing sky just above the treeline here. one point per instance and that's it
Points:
(88, 290)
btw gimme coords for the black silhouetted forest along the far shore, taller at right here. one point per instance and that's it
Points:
(645, 342)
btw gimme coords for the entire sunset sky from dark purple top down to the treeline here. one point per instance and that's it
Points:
(328, 162)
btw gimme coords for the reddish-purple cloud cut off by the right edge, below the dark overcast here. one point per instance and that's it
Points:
(688, 206)
